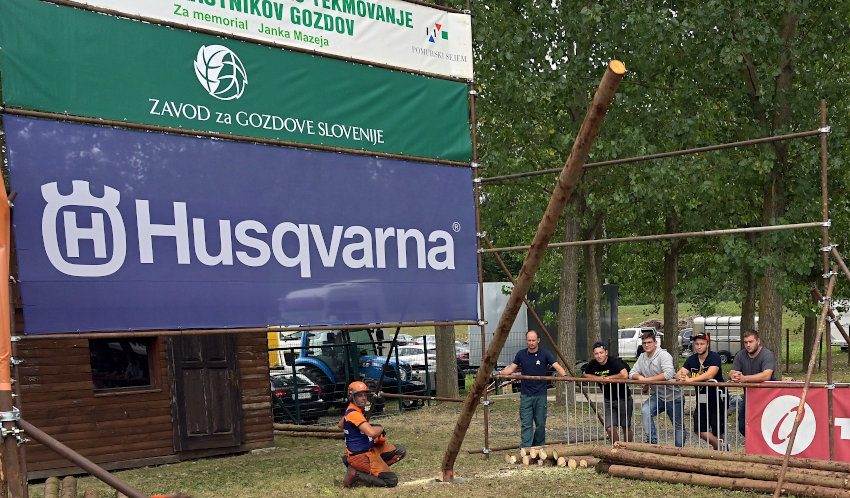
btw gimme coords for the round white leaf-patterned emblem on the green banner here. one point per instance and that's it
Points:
(220, 72)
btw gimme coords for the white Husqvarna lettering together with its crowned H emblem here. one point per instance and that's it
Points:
(84, 217)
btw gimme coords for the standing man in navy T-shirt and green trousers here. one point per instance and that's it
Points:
(533, 404)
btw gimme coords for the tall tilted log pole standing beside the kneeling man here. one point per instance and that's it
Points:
(567, 181)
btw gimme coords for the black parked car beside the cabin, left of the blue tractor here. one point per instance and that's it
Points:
(288, 402)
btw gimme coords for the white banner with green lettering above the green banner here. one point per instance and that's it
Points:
(392, 32)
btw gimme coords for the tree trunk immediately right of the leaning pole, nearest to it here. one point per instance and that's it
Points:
(567, 302)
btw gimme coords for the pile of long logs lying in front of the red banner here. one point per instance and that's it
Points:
(726, 470)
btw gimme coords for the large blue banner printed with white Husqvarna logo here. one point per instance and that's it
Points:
(118, 229)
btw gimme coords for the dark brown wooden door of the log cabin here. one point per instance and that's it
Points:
(205, 398)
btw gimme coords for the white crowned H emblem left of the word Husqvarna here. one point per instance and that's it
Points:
(94, 230)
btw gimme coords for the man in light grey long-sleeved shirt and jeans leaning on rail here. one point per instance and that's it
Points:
(657, 364)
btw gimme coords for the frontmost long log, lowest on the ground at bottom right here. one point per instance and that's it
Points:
(738, 484)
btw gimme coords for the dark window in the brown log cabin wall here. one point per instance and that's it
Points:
(121, 364)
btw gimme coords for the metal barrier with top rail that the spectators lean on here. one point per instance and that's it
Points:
(708, 415)
